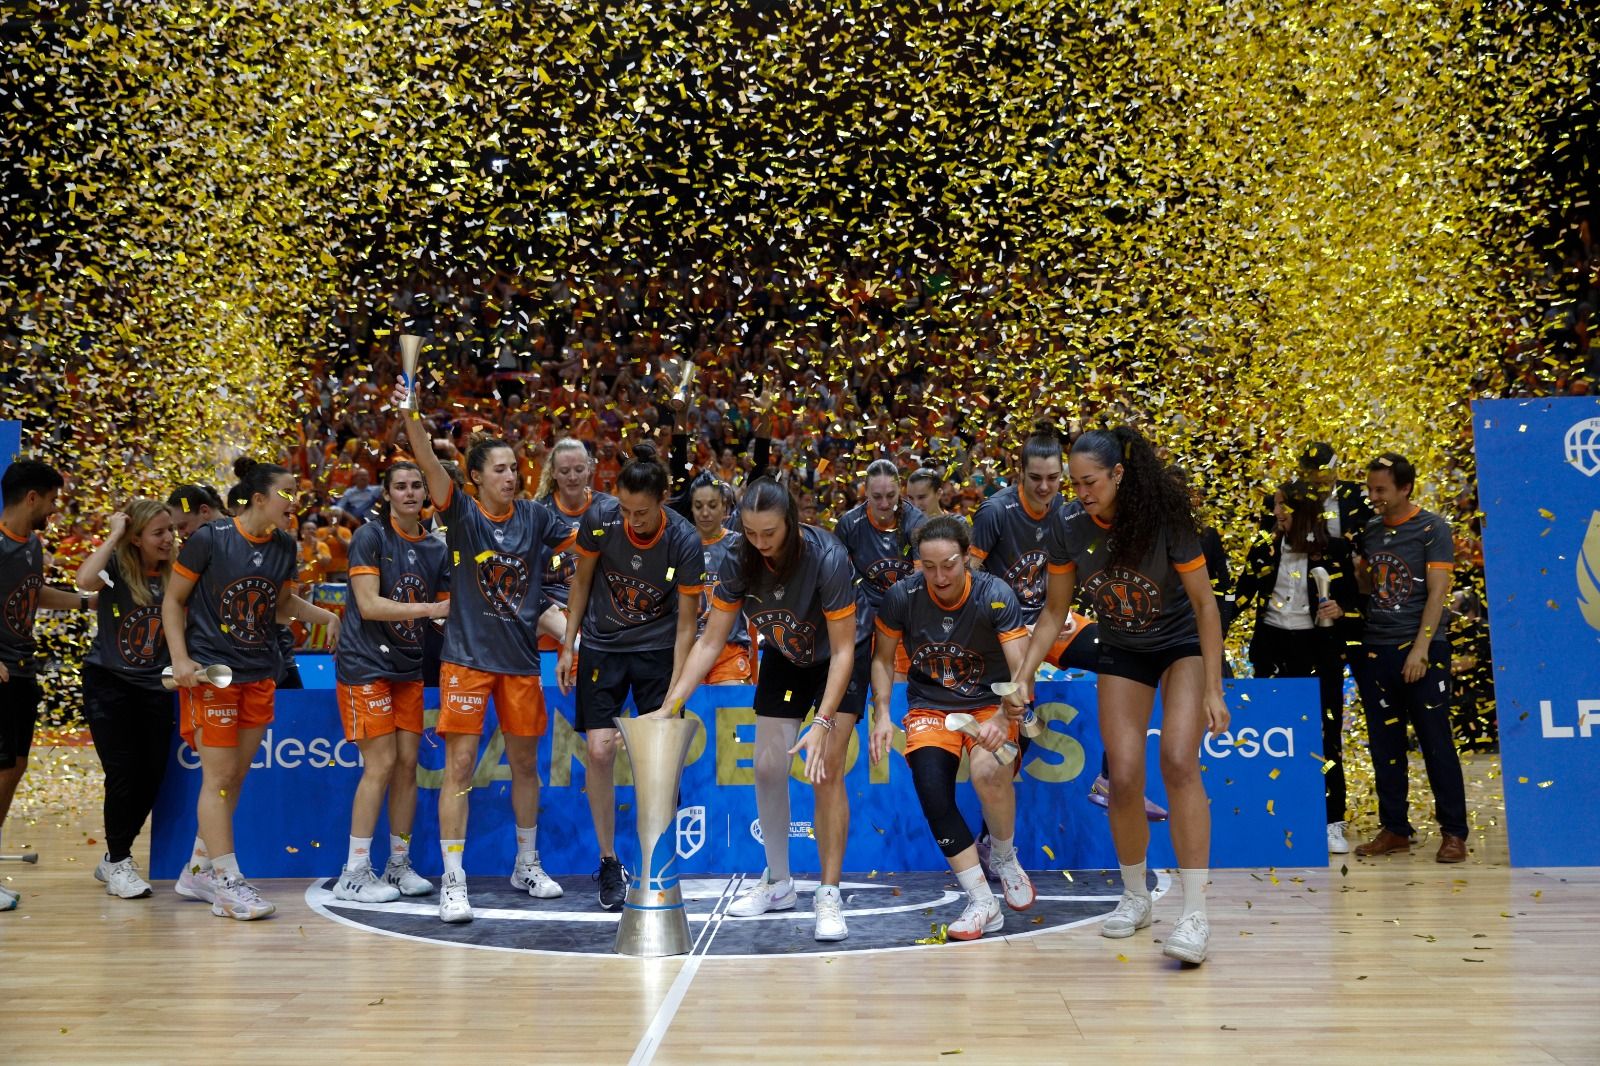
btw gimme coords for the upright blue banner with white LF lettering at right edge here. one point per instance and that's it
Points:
(1540, 492)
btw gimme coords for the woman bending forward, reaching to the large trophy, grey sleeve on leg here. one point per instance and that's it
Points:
(796, 583)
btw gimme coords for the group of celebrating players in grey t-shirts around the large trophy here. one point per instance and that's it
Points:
(650, 595)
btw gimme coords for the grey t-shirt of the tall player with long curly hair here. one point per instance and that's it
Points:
(1140, 609)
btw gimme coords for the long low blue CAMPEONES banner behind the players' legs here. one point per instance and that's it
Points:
(1265, 782)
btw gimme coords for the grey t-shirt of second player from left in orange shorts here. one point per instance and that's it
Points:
(409, 571)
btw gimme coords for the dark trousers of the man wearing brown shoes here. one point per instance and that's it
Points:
(1390, 703)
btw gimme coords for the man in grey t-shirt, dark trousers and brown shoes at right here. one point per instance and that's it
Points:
(1402, 668)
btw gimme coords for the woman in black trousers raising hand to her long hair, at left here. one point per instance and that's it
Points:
(129, 711)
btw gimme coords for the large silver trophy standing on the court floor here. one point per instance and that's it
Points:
(654, 918)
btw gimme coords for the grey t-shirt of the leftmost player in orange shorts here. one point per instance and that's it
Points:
(234, 607)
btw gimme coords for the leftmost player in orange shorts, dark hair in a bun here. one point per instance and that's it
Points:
(244, 572)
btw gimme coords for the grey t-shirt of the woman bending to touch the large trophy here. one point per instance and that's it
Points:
(793, 617)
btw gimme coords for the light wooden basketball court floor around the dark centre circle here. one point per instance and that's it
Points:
(1398, 960)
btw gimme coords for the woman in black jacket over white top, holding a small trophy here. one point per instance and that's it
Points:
(1295, 609)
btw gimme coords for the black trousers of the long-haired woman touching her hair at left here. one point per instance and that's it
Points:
(134, 734)
